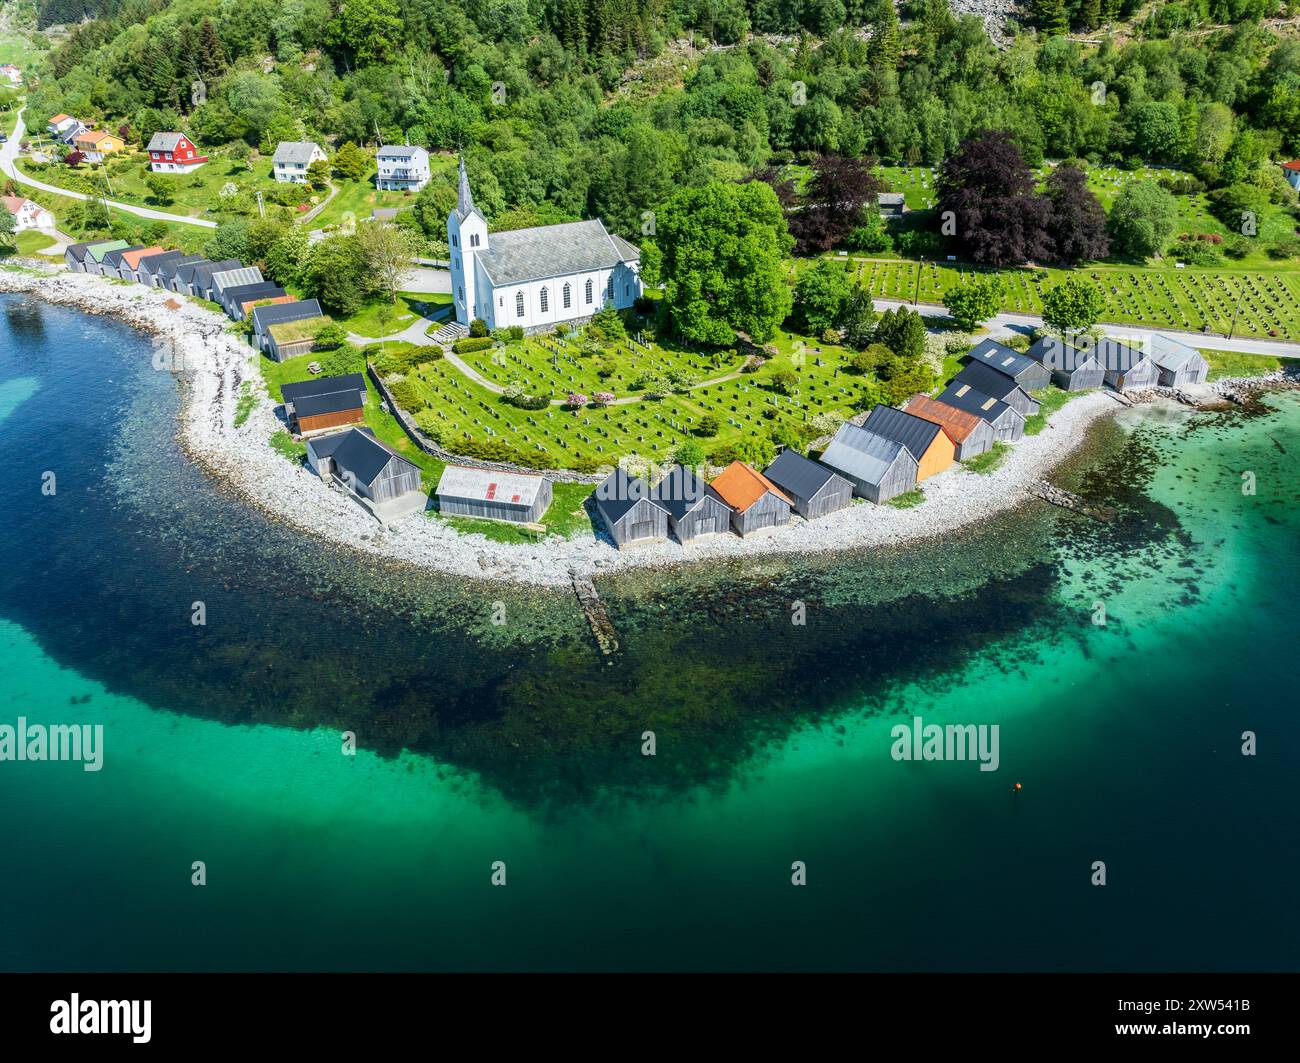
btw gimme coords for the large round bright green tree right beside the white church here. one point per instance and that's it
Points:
(720, 253)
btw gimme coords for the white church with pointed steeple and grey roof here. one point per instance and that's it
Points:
(536, 277)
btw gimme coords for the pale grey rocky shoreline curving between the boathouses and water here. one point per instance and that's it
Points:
(216, 366)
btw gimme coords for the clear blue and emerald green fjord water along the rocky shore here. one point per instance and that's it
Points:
(519, 744)
